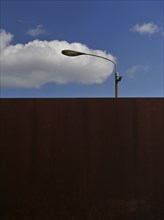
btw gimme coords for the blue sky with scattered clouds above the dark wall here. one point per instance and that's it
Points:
(33, 33)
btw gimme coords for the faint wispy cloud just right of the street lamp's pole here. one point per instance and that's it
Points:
(133, 71)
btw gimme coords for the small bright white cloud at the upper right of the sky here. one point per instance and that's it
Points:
(146, 28)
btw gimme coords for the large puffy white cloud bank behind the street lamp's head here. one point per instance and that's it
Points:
(38, 62)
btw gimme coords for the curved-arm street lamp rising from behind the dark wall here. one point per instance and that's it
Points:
(72, 53)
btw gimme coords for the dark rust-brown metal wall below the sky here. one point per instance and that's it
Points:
(87, 159)
